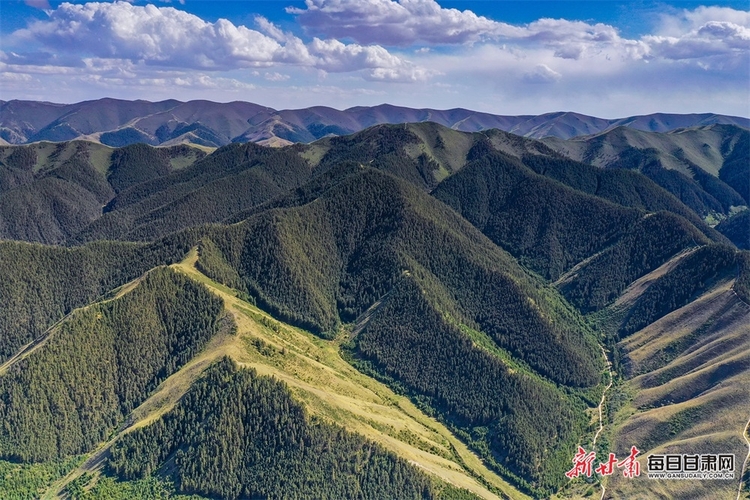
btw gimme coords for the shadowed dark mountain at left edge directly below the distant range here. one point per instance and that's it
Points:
(49, 192)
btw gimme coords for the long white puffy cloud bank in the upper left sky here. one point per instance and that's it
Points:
(167, 37)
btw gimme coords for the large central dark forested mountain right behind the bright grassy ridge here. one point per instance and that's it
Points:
(374, 237)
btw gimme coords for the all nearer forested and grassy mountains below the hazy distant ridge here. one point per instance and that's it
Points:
(407, 311)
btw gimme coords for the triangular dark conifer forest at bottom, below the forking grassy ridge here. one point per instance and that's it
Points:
(239, 435)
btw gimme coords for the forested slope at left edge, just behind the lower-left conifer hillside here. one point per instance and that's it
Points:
(39, 285)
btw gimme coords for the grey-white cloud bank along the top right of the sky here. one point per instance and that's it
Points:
(703, 32)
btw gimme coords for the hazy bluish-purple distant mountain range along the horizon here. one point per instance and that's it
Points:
(119, 123)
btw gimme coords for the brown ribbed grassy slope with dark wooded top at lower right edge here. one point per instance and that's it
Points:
(687, 374)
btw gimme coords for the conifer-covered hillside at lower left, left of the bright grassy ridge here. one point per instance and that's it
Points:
(119, 350)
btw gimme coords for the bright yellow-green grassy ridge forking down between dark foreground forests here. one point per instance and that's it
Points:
(329, 387)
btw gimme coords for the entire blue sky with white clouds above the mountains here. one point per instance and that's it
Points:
(606, 58)
